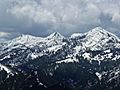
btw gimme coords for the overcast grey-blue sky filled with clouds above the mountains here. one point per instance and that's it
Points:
(42, 17)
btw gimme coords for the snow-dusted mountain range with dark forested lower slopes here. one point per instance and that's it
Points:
(83, 61)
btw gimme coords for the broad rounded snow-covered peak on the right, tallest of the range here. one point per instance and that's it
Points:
(98, 38)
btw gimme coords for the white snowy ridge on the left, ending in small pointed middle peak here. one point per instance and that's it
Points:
(29, 40)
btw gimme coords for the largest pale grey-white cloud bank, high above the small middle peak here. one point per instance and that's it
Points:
(58, 12)
